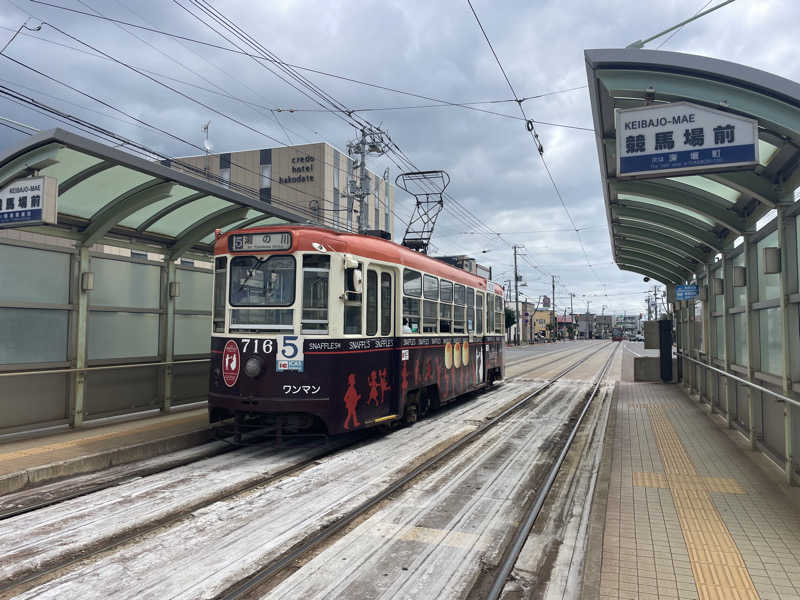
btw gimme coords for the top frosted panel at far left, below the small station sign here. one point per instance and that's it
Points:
(38, 275)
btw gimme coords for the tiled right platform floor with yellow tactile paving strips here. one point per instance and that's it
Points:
(691, 513)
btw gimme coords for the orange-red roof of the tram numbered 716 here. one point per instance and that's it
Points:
(367, 246)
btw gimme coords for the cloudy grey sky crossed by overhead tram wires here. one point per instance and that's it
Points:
(433, 49)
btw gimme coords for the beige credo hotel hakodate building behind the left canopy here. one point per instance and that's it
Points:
(310, 179)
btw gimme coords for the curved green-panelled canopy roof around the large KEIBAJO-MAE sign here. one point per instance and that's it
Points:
(663, 224)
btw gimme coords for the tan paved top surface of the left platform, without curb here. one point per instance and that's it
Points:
(31, 453)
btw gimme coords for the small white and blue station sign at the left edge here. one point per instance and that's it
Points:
(31, 201)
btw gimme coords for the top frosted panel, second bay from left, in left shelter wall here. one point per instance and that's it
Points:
(120, 283)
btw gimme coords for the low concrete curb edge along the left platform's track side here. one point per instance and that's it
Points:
(13, 482)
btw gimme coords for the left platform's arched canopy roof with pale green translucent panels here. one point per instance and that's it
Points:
(109, 196)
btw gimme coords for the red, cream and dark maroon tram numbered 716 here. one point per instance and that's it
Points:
(317, 328)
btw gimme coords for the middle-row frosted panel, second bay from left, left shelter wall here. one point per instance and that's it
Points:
(122, 335)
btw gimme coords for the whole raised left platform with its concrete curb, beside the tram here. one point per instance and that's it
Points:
(43, 458)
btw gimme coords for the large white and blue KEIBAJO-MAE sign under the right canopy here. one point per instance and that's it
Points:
(682, 137)
